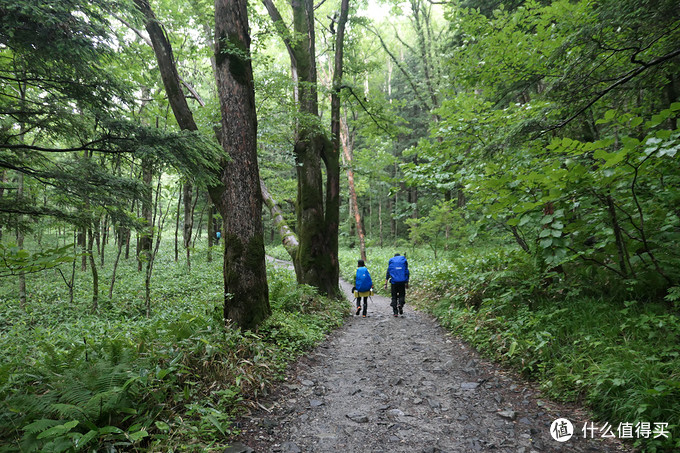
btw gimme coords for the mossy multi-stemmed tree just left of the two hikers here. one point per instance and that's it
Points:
(317, 219)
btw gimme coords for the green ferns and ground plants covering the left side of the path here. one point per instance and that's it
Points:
(76, 380)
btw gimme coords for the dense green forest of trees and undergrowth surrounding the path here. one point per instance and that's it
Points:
(523, 154)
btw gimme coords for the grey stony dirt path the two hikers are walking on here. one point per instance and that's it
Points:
(386, 384)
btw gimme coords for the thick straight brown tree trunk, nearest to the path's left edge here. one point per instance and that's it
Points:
(246, 299)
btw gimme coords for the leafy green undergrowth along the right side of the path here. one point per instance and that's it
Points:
(617, 353)
